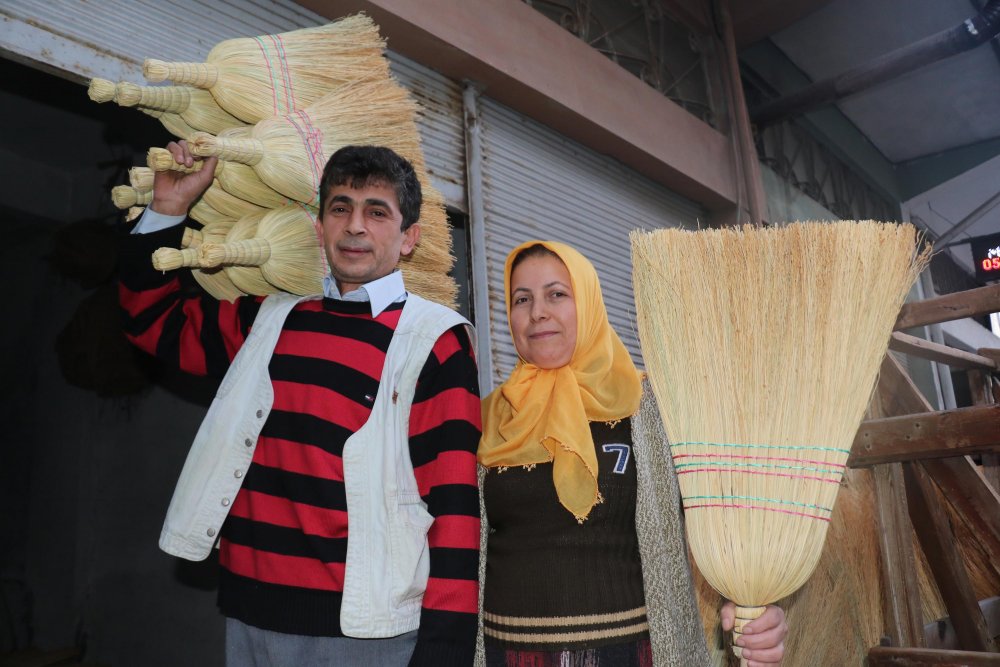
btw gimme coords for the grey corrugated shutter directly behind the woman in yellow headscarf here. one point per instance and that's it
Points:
(540, 185)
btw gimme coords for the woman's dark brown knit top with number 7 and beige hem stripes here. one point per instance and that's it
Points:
(553, 583)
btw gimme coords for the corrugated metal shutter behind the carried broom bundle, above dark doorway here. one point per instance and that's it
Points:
(111, 38)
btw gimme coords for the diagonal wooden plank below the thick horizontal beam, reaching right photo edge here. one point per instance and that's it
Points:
(975, 502)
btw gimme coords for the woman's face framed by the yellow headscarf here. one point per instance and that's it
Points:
(543, 311)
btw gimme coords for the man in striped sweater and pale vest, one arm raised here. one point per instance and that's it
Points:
(336, 466)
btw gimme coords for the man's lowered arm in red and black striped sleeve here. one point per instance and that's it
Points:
(445, 426)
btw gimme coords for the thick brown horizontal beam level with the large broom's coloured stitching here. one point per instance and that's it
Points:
(927, 435)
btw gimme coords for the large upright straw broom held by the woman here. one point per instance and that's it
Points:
(762, 346)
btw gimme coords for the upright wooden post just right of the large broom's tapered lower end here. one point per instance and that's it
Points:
(902, 606)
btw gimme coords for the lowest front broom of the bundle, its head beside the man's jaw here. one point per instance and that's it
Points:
(285, 248)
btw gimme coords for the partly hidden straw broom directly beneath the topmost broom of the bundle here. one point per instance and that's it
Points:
(195, 106)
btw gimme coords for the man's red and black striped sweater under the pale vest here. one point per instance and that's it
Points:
(283, 546)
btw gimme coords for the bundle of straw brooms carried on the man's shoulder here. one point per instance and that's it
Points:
(285, 82)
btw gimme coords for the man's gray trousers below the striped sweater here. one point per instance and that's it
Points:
(247, 646)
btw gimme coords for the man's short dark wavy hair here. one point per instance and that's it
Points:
(361, 166)
